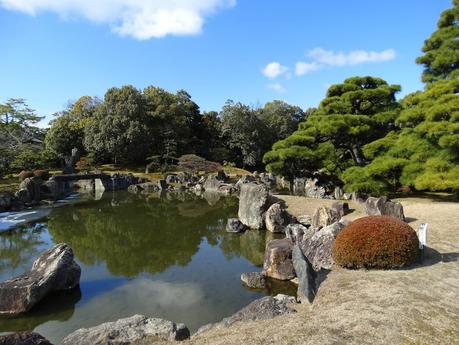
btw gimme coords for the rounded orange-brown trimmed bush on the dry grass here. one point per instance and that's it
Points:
(376, 242)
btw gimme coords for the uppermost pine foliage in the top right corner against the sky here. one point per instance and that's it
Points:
(441, 49)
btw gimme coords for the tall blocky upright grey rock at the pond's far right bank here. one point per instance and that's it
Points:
(253, 202)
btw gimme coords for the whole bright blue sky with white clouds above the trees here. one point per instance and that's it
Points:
(252, 51)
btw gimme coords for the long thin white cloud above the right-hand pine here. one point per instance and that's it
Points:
(354, 57)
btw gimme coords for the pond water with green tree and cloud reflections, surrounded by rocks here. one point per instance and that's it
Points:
(160, 255)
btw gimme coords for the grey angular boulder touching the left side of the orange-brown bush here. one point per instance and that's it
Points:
(317, 246)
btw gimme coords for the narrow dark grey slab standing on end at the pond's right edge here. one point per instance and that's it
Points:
(305, 275)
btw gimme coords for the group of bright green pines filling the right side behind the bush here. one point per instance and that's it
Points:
(360, 136)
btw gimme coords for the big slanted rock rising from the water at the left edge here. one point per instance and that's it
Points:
(54, 270)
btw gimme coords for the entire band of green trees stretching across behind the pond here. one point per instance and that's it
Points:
(360, 136)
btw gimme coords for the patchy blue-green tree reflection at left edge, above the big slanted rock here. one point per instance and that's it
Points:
(18, 247)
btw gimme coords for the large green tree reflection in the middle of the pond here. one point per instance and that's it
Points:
(141, 235)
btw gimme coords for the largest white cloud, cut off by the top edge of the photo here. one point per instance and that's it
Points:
(141, 19)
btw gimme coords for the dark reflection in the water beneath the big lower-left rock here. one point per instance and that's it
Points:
(59, 306)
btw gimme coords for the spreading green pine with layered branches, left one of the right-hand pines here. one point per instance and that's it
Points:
(354, 113)
